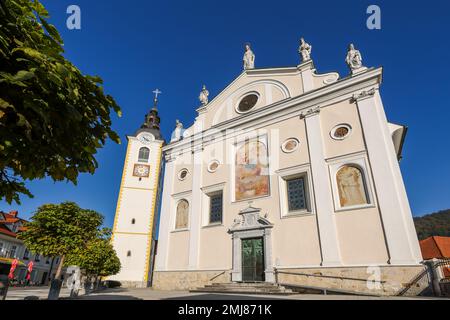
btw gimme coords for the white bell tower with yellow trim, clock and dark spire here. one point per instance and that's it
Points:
(137, 208)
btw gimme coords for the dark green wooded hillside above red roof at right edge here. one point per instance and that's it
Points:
(435, 224)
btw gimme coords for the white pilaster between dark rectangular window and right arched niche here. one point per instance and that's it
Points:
(326, 224)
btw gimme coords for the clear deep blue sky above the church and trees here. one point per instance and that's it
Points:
(137, 45)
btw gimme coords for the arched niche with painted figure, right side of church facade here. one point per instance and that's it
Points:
(351, 186)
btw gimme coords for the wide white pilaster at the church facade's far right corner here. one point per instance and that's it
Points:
(401, 237)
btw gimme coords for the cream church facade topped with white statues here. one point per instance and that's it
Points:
(286, 176)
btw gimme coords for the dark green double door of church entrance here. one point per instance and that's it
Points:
(252, 259)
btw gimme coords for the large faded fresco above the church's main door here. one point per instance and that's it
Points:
(252, 171)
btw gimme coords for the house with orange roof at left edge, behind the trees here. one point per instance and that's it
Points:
(13, 248)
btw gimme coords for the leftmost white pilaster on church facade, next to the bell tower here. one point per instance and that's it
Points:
(165, 219)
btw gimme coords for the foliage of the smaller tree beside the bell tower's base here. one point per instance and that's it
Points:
(98, 258)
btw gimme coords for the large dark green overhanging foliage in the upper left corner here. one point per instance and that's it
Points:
(52, 117)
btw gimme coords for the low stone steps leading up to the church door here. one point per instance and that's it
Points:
(245, 288)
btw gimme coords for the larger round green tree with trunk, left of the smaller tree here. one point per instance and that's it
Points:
(63, 230)
